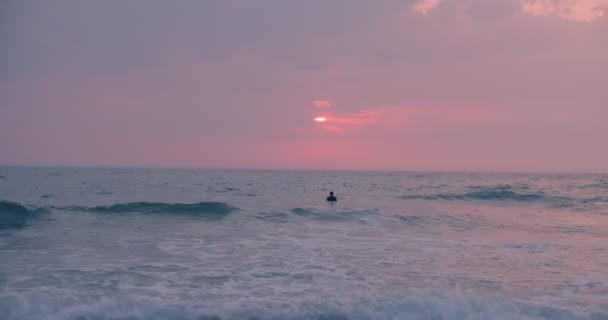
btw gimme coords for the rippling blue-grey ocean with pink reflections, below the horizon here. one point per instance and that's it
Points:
(103, 243)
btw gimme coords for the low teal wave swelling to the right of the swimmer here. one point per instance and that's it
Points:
(496, 193)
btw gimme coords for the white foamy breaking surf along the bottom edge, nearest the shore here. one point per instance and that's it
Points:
(420, 304)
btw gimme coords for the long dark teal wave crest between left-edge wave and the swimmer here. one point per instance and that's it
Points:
(200, 208)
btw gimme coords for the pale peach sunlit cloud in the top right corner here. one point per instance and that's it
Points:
(573, 10)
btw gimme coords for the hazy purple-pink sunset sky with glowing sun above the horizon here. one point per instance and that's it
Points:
(472, 85)
